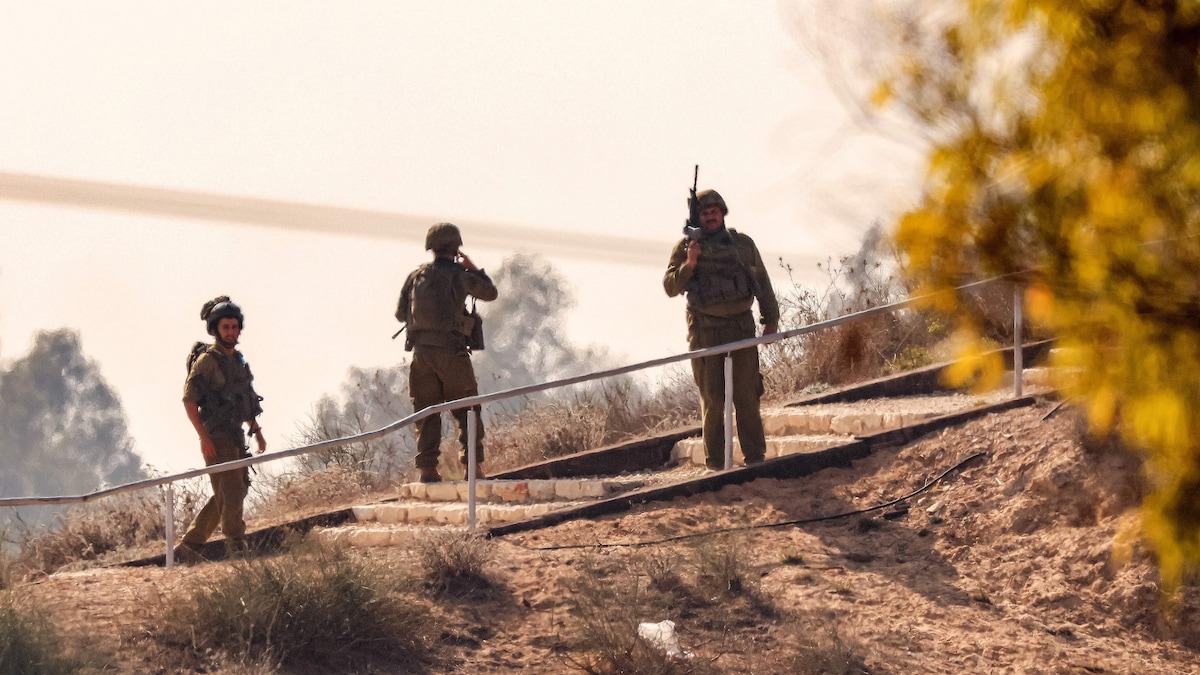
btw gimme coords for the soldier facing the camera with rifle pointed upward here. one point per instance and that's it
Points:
(722, 274)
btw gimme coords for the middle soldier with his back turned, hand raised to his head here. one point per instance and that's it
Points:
(433, 309)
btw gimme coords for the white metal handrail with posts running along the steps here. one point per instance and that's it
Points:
(518, 392)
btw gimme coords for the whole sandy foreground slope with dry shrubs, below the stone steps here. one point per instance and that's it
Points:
(1006, 566)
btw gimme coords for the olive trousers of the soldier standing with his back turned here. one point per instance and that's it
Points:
(439, 375)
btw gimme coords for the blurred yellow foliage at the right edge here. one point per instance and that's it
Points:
(1096, 188)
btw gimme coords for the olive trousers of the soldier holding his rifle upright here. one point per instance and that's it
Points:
(710, 374)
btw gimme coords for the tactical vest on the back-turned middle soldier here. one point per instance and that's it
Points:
(437, 315)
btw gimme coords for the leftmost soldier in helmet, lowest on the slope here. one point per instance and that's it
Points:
(219, 398)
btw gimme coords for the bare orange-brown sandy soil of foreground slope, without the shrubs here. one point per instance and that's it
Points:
(1005, 566)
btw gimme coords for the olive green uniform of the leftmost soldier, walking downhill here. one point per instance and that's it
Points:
(223, 386)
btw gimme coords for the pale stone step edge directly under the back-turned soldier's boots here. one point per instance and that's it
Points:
(551, 491)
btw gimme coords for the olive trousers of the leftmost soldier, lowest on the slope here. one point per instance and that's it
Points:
(230, 488)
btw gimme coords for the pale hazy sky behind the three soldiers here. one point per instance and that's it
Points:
(559, 116)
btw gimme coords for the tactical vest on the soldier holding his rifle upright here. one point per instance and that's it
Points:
(722, 282)
